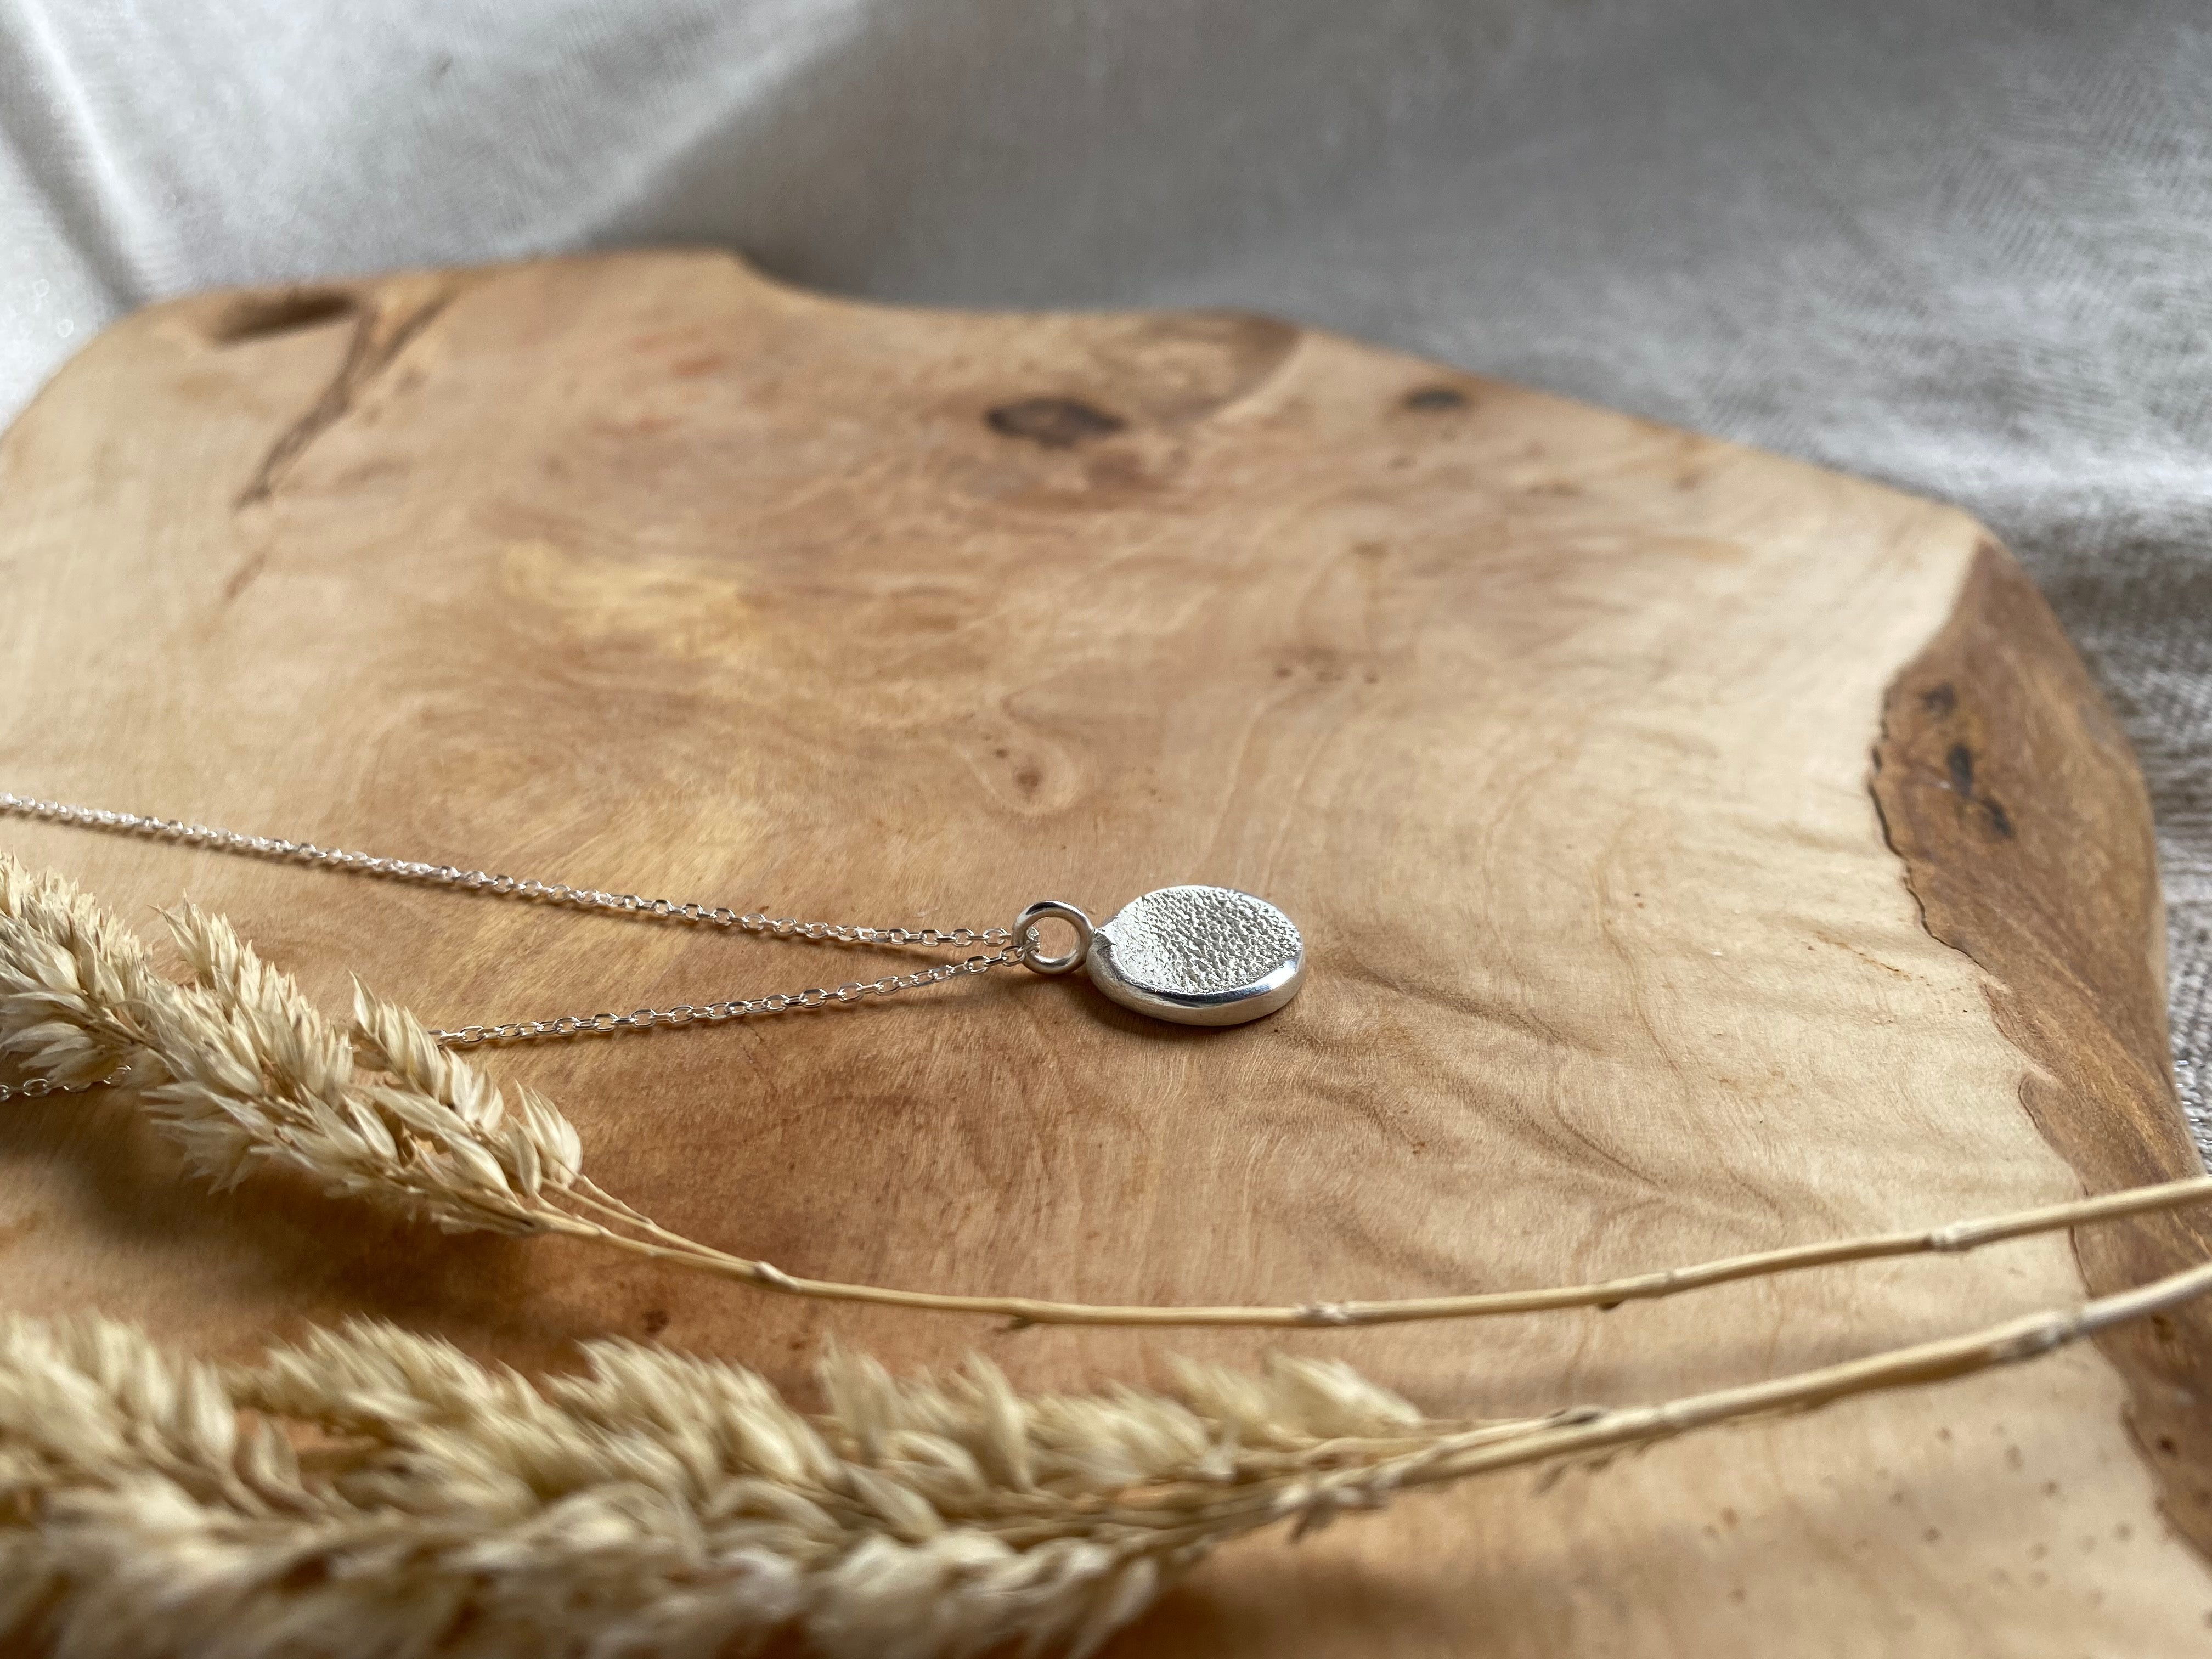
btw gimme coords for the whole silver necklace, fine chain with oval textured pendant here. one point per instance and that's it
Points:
(1204, 957)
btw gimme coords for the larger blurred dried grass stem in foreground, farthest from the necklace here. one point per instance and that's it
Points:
(373, 1492)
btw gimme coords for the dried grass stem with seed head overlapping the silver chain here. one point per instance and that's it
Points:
(242, 1070)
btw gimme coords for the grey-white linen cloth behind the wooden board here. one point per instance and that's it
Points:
(1963, 247)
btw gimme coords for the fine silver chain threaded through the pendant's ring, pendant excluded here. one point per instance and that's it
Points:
(1001, 946)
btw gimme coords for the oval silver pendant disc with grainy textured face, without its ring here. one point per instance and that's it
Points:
(1202, 957)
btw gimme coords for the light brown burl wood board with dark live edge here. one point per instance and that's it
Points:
(1698, 853)
